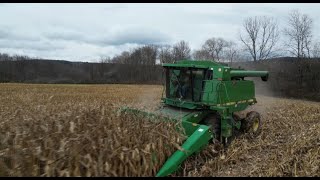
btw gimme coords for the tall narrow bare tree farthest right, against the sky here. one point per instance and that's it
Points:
(299, 32)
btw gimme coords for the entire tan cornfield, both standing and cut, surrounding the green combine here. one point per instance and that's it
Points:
(75, 130)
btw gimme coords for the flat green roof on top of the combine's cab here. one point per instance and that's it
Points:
(193, 64)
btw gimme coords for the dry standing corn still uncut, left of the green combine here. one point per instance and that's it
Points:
(76, 131)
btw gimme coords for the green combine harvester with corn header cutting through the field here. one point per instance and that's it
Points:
(205, 96)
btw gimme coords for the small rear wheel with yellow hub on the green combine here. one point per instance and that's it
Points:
(252, 124)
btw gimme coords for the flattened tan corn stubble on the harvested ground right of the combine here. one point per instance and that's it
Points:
(289, 144)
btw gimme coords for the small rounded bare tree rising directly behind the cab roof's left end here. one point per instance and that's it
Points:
(181, 50)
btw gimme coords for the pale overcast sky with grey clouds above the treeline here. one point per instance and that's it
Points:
(85, 32)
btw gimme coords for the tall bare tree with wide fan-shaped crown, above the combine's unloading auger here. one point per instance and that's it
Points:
(260, 37)
